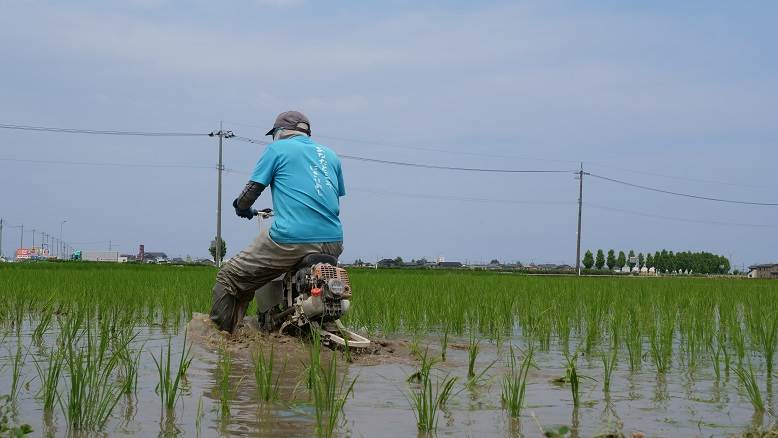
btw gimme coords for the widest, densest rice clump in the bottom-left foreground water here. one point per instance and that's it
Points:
(91, 392)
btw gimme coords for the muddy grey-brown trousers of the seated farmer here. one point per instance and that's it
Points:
(252, 268)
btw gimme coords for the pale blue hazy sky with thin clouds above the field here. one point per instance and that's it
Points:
(680, 96)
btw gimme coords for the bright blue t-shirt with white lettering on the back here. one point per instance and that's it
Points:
(307, 182)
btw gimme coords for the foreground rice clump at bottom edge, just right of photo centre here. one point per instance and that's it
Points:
(427, 399)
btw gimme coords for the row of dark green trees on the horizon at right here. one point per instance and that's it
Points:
(662, 261)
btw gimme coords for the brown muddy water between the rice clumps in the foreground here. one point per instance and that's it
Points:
(678, 404)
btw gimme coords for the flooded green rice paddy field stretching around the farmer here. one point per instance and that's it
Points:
(93, 349)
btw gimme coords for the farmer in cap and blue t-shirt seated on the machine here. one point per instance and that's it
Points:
(306, 182)
